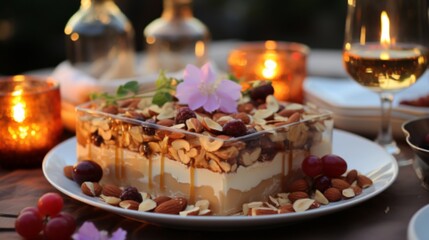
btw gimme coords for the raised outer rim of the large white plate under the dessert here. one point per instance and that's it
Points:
(213, 222)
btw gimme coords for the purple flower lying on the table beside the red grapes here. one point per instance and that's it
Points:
(88, 231)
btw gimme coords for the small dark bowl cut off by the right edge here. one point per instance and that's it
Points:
(415, 131)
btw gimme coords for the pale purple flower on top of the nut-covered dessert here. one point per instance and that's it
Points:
(200, 88)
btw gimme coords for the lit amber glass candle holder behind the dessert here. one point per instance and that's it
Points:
(283, 63)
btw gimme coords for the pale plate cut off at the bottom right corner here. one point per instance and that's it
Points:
(418, 226)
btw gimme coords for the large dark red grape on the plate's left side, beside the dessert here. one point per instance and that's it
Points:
(87, 170)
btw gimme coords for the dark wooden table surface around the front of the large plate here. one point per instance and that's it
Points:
(385, 216)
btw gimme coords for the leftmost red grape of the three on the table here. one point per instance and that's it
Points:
(29, 224)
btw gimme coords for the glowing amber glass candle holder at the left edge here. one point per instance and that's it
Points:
(30, 118)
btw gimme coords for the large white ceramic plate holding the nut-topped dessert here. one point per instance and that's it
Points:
(368, 158)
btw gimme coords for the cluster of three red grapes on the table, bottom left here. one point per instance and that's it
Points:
(46, 219)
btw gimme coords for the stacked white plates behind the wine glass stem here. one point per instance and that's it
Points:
(357, 109)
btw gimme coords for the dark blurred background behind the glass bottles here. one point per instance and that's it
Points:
(32, 32)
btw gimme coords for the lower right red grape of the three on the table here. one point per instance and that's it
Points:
(60, 227)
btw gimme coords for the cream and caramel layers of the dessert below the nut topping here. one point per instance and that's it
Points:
(226, 192)
